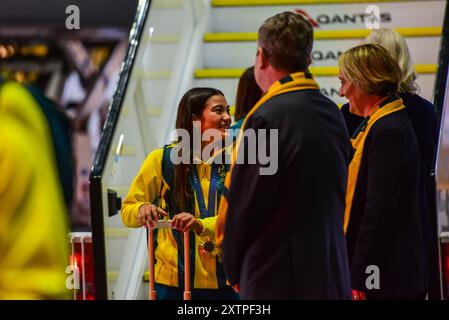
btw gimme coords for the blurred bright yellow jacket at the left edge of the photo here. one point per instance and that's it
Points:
(33, 218)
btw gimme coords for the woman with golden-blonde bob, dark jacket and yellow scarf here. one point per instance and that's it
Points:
(382, 222)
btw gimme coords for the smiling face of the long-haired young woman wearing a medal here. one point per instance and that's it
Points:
(216, 115)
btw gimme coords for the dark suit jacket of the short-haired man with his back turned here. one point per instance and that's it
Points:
(284, 236)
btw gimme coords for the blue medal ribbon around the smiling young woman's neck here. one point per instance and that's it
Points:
(210, 212)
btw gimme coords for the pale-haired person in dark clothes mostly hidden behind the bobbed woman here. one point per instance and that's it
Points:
(423, 118)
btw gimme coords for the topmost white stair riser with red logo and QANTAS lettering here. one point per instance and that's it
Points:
(332, 16)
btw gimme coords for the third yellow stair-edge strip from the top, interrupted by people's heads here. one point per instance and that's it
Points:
(316, 71)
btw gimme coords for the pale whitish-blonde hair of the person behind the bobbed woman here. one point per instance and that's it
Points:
(397, 46)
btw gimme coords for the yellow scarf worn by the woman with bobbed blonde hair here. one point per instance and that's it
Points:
(383, 108)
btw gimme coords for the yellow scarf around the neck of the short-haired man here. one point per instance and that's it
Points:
(294, 82)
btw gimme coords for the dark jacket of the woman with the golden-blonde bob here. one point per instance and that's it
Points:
(385, 228)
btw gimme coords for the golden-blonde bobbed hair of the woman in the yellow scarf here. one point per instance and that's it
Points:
(371, 68)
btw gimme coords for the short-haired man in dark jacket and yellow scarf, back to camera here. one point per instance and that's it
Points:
(283, 232)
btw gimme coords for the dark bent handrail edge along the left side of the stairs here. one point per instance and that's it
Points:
(95, 189)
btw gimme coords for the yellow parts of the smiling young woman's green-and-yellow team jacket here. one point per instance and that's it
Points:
(145, 189)
